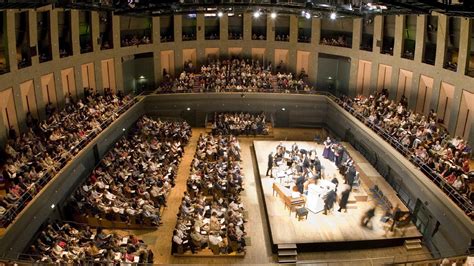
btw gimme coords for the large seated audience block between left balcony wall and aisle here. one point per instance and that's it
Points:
(132, 181)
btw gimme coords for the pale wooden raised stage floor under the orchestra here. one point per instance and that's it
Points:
(336, 227)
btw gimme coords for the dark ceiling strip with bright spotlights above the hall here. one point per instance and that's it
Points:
(317, 8)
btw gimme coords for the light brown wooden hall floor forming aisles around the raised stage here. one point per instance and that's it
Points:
(259, 251)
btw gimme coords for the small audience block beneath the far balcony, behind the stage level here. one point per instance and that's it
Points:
(239, 124)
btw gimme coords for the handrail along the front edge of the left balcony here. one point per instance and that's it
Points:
(11, 213)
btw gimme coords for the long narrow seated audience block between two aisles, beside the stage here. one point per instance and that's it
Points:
(211, 213)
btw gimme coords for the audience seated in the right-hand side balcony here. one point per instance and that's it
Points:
(426, 141)
